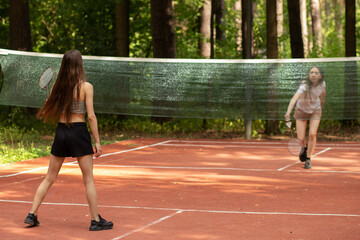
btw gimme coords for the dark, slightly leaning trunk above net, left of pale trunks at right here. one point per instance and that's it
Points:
(297, 45)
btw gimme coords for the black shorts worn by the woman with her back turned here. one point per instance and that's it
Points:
(72, 141)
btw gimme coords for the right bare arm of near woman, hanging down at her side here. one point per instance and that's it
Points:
(89, 94)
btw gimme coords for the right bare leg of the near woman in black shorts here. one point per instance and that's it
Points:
(86, 166)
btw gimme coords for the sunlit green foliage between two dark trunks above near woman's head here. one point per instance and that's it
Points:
(59, 25)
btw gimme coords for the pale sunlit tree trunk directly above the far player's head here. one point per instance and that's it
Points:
(316, 24)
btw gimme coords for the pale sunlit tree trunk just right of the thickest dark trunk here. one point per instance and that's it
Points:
(204, 41)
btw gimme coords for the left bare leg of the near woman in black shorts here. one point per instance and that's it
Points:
(53, 171)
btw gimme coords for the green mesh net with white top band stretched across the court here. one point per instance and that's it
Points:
(188, 88)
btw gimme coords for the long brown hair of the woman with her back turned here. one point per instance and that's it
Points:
(68, 82)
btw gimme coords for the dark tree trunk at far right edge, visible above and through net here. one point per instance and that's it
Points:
(351, 85)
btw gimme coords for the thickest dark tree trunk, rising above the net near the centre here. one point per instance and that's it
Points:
(163, 28)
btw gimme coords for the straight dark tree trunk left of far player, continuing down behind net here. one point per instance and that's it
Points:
(272, 53)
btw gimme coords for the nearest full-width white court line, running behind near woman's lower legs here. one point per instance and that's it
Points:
(191, 210)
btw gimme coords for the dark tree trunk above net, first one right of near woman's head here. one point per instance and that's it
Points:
(122, 27)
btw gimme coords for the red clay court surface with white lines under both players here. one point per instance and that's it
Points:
(165, 189)
